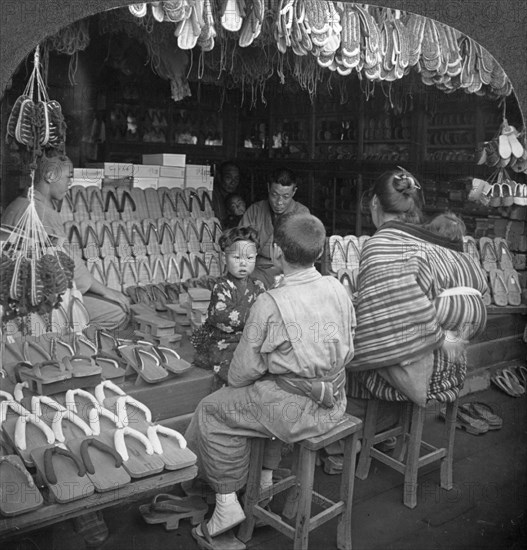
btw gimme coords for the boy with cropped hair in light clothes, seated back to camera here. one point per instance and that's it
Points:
(286, 378)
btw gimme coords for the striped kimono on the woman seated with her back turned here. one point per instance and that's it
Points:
(403, 270)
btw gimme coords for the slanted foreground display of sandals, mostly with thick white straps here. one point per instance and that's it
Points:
(79, 442)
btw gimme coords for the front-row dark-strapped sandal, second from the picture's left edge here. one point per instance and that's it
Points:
(63, 472)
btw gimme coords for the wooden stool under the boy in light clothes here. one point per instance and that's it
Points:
(300, 485)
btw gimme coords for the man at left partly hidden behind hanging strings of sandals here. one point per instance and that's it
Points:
(107, 308)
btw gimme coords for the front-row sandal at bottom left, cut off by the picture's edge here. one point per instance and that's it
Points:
(18, 492)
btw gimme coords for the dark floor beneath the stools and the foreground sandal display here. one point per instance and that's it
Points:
(486, 509)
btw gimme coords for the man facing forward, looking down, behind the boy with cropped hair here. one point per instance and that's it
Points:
(263, 216)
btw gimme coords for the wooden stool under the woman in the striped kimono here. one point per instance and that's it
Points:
(409, 433)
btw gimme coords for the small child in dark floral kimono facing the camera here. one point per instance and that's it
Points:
(232, 297)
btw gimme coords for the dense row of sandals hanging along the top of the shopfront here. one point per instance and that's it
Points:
(382, 44)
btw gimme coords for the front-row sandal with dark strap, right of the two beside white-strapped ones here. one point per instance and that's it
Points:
(104, 465)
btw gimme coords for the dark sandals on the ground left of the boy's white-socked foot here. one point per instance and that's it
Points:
(170, 509)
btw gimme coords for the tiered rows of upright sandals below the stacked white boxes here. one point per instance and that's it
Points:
(133, 238)
